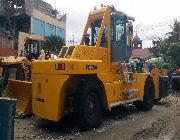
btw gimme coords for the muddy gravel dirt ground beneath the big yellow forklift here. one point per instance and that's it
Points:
(126, 123)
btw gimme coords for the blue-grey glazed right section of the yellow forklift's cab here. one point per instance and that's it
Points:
(122, 37)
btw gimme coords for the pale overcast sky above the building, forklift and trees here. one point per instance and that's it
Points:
(152, 16)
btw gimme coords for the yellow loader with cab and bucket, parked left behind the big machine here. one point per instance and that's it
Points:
(17, 75)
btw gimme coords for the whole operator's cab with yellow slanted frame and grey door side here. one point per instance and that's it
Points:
(121, 33)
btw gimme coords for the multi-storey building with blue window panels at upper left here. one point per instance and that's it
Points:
(33, 17)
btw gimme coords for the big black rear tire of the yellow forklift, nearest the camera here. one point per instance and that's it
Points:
(88, 105)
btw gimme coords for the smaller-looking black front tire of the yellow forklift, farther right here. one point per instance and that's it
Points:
(148, 99)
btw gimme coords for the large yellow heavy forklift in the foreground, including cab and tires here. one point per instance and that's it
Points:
(94, 75)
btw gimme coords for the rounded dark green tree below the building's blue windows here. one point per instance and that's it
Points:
(53, 43)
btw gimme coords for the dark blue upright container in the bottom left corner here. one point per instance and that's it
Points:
(7, 114)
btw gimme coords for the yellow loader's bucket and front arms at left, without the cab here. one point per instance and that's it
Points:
(13, 78)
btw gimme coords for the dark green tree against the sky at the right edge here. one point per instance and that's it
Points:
(169, 47)
